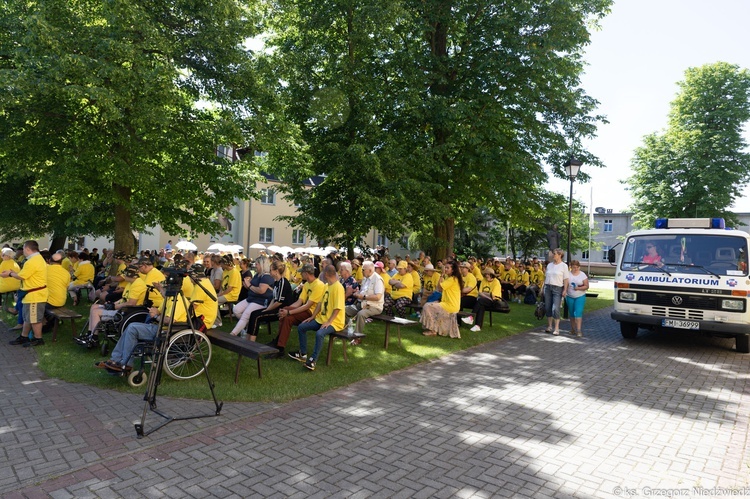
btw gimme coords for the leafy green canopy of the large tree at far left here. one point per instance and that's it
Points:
(104, 114)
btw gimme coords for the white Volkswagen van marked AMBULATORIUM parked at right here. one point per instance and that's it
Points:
(688, 273)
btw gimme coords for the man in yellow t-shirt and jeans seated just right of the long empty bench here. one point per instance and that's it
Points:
(328, 317)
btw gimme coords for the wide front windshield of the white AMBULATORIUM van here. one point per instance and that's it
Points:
(686, 253)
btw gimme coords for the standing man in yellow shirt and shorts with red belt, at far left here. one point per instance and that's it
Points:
(33, 277)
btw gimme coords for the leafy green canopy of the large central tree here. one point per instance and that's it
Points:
(447, 104)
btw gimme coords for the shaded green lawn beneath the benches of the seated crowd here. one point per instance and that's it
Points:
(285, 379)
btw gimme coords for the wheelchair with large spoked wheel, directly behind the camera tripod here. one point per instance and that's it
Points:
(184, 358)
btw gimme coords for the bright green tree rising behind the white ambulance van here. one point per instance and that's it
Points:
(699, 165)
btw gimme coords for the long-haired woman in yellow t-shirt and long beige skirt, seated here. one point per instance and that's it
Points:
(438, 318)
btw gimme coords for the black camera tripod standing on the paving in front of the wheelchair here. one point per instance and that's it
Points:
(159, 355)
